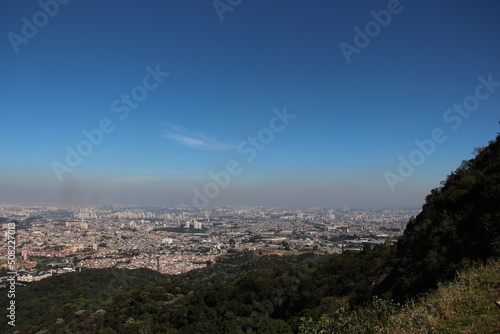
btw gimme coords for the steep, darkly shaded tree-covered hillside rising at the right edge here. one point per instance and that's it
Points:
(459, 223)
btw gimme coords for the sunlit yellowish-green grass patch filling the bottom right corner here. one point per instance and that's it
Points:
(465, 306)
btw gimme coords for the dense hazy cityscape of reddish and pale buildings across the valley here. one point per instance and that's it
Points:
(55, 239)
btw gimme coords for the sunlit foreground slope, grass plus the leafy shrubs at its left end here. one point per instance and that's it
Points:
(463, 306)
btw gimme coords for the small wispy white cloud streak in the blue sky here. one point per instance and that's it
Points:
(194, 139)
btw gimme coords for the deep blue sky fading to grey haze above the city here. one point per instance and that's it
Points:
(225, 77)
